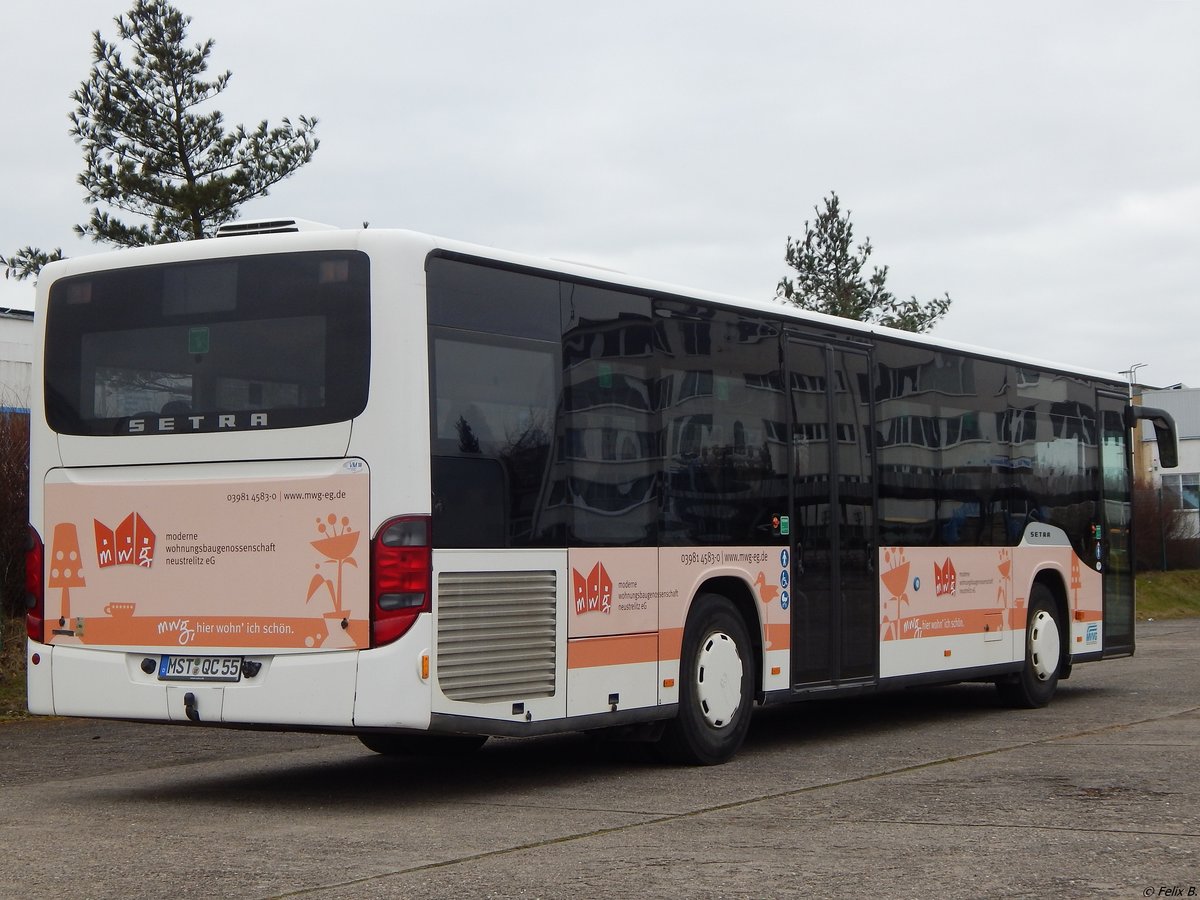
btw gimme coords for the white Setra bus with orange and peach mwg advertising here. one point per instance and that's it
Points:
(424, 493)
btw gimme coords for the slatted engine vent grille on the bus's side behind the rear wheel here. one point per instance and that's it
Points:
(496, 635)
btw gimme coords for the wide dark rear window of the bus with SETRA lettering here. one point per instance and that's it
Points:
(271, 341)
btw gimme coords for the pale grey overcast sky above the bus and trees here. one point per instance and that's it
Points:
(1039, 161)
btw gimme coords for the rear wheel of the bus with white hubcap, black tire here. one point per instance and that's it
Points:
(716, 687)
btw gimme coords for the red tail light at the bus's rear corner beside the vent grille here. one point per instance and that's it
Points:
(401, 578)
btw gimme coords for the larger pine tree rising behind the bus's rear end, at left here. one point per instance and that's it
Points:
(149, 152)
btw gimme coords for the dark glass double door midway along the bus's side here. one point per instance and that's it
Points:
(832, 524)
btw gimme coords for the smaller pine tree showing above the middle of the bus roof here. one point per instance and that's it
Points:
(830, 278)
